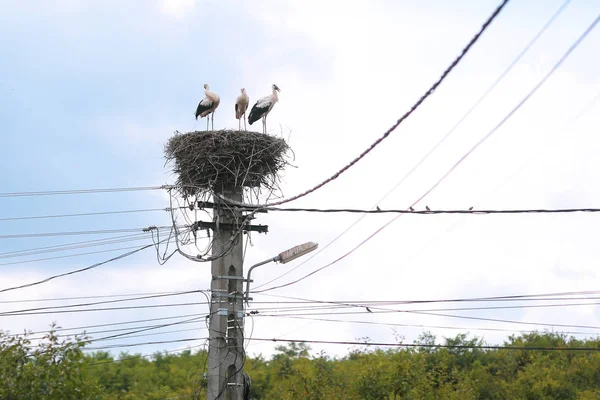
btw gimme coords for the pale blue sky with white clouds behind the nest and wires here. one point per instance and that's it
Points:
(90, 92)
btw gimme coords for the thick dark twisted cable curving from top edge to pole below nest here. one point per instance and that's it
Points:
(399, 121)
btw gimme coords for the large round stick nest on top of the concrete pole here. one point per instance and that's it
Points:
(217, 161)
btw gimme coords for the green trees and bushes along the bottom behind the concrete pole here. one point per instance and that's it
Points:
(60, 370)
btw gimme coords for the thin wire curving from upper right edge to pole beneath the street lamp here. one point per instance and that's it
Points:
(470, 151)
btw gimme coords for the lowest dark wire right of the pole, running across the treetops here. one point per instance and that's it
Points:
(441, 346)
